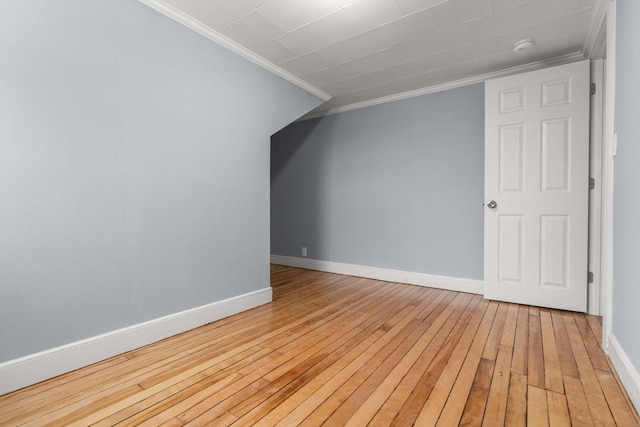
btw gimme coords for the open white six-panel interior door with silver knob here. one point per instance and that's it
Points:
(537, 176)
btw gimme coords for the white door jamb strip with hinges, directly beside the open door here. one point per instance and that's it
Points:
(595, 195)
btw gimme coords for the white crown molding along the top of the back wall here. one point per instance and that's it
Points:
(532, 66)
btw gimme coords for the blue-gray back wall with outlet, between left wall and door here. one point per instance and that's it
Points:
(398, 185)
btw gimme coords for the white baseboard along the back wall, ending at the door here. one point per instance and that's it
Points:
(409, 277)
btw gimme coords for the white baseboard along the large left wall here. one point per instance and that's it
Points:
(31, 369)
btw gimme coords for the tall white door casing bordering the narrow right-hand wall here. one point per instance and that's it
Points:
(606, 256)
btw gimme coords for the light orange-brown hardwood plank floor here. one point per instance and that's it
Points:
(340, 350)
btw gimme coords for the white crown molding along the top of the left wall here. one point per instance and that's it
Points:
(202, 29)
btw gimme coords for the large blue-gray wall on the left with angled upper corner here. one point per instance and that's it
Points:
(135, 169)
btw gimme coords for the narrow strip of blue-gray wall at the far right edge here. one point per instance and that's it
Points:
(626, 205)
